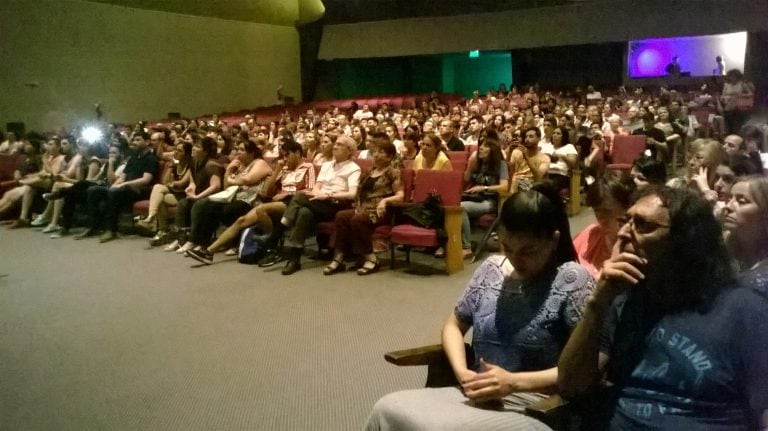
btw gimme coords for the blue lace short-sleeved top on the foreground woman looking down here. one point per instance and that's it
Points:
(522, 326)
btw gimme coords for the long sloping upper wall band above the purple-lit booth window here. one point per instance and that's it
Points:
(578, 23)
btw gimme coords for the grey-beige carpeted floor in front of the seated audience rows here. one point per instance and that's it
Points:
(117, 337)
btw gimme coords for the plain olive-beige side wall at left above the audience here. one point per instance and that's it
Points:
(60, 57)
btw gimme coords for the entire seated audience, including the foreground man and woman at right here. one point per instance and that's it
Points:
(520, 150)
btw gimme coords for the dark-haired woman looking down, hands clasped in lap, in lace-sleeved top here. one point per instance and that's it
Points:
(534, 291)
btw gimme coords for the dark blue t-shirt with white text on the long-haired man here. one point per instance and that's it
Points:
(692, 370)
